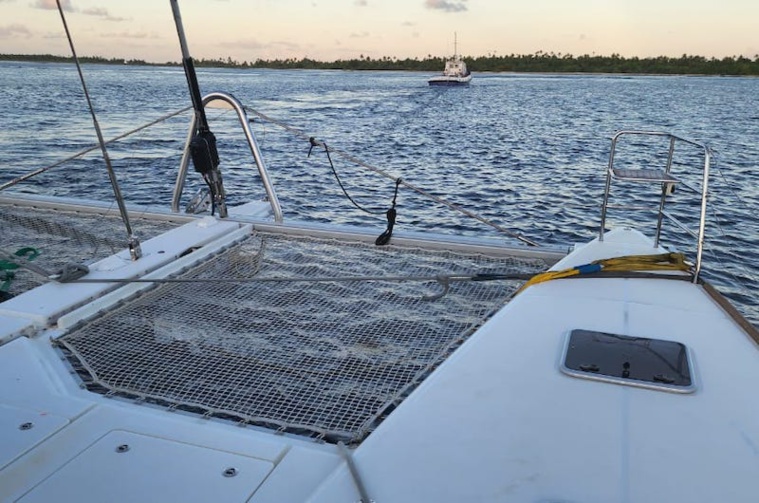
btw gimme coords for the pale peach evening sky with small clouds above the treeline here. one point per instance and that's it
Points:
(326, 30)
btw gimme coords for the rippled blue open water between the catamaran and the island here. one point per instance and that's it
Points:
(525, 152)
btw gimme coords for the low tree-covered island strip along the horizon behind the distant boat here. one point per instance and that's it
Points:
(539, 62)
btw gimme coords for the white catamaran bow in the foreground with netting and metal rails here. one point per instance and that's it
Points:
(241, 357)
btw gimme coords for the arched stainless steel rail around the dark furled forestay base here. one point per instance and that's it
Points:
(252, 143)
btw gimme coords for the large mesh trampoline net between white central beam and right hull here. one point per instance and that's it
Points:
(326, 359)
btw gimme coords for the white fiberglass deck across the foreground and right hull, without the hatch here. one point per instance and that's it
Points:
(496, 421)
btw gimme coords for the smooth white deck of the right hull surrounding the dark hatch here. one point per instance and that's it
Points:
(508, 425)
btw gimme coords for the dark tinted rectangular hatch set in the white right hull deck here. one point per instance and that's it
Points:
(622, 359)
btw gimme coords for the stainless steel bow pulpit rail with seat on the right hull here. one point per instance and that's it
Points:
(664, 178)
